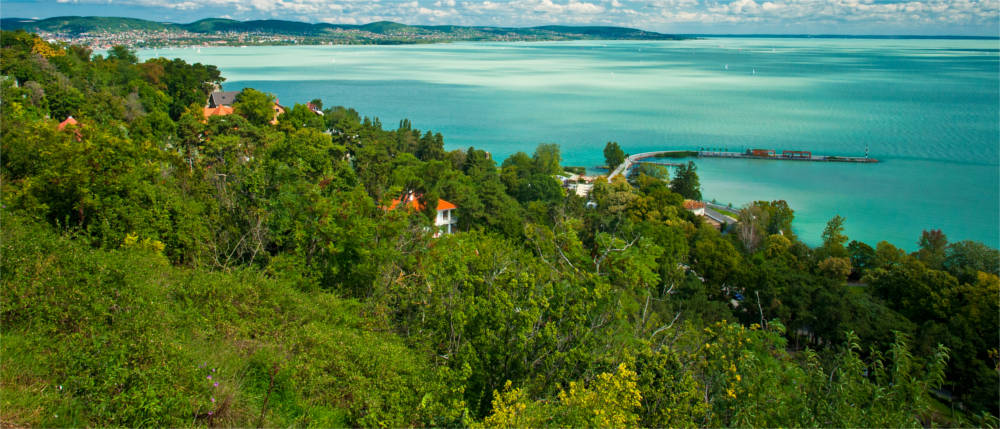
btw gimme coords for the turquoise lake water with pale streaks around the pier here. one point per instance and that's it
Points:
(927, 108)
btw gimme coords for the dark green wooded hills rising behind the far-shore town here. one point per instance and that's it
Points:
(89, 24)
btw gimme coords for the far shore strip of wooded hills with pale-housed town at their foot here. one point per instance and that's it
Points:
(103, 33)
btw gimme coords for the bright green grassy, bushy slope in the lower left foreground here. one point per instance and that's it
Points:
(109, 338)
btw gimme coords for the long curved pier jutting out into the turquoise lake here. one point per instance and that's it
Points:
(770, 154)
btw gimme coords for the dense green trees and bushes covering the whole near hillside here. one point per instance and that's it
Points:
(160, 268)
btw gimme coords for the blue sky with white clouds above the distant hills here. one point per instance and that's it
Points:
(855, 17)
